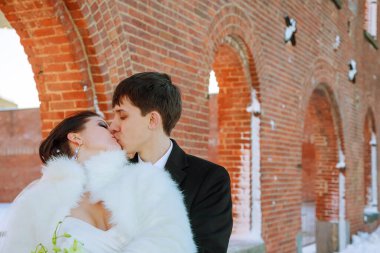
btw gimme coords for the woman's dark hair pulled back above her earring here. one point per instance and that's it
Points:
(57, 144)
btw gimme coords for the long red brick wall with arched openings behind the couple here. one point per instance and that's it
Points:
(97, 43)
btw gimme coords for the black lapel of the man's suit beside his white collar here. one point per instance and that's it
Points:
(176, 163)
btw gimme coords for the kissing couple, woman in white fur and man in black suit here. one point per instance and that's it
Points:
(92, 198)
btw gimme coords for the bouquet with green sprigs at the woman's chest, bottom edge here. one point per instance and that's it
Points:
(76, 247)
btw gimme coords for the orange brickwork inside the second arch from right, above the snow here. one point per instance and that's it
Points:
(322, 137)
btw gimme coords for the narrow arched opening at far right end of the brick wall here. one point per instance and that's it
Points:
(370, 175)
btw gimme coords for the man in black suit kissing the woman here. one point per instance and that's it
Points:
(147, 106)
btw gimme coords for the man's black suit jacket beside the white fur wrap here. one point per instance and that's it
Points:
(206, 188)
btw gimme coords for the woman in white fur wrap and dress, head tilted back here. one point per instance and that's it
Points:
(106, 203)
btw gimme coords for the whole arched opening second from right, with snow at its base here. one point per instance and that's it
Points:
(323, 167)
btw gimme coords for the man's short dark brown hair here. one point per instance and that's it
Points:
(152, 91)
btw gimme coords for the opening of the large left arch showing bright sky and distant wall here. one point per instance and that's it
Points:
(20, 129)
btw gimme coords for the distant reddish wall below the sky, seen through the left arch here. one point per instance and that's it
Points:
(20, 135)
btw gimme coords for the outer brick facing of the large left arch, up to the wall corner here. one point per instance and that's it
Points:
(103, 24)
